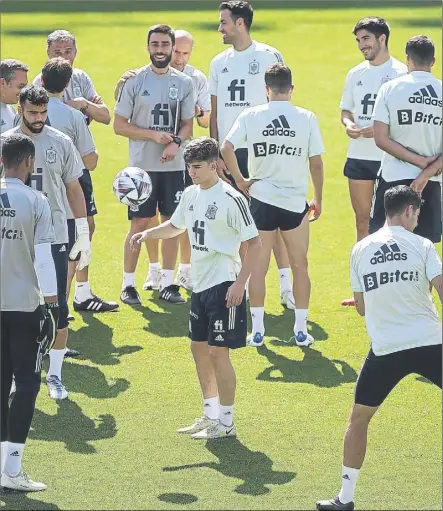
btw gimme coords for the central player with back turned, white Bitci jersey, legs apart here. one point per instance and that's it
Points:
(285, 146)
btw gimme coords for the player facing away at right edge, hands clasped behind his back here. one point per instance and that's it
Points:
(408, 127)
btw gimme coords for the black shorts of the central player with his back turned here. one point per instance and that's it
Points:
(271, 218)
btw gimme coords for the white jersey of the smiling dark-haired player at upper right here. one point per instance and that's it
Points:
(361, 88)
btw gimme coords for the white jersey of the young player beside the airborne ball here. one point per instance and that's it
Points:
(218, 221)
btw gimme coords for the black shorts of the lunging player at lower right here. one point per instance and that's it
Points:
(379, 375)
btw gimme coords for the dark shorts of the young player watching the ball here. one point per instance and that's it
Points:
(212, 322)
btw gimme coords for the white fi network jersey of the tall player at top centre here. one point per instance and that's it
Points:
(237, 78)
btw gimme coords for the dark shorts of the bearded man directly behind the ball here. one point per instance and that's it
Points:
(167, 188)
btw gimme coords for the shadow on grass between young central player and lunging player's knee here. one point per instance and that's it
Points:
(314, 369)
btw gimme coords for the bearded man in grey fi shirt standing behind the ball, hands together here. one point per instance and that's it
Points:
(155, 110)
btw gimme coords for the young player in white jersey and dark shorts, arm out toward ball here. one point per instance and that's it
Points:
(217, 219)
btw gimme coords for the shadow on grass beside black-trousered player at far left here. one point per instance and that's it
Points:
(71, 426)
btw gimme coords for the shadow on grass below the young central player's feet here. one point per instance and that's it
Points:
(237, 461)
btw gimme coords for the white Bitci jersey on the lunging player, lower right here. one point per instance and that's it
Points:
(393, 268)
